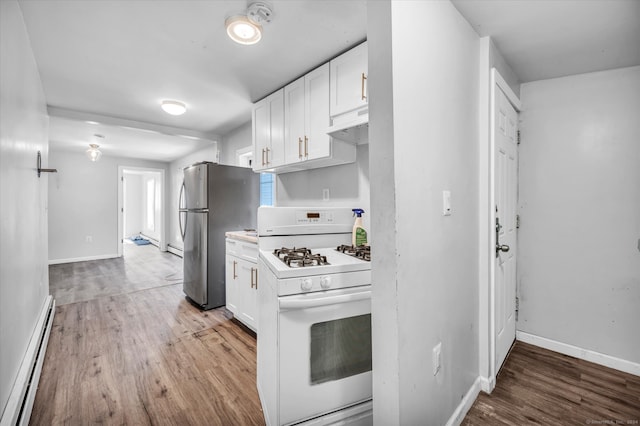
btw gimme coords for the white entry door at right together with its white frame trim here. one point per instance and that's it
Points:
(499, 248)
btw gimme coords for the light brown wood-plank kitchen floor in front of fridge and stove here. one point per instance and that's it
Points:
(147, 358)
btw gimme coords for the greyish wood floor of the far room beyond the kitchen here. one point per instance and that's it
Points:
(140, 268)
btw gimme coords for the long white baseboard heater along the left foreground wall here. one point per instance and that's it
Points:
(18, 408)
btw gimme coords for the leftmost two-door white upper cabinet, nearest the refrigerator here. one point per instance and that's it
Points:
(268, 132)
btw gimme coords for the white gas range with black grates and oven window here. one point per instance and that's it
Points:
(314, 344)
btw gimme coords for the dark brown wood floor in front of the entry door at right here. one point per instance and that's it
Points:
(541, 387)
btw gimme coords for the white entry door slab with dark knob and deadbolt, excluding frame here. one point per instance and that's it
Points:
(506, 187)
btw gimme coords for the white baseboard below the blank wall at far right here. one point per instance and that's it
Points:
(580, 353)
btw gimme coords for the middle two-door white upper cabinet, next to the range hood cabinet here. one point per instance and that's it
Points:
(306, 105)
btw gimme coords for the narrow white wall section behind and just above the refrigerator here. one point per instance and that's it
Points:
(209, 153)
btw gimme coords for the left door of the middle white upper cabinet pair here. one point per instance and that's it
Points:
(294, 121)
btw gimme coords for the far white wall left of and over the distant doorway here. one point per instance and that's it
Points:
(83, 201)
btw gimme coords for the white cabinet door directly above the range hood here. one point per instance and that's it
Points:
(348, 80)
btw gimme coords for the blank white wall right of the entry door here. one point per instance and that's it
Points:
(579, 247)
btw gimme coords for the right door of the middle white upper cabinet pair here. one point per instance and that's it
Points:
(317, 144)
